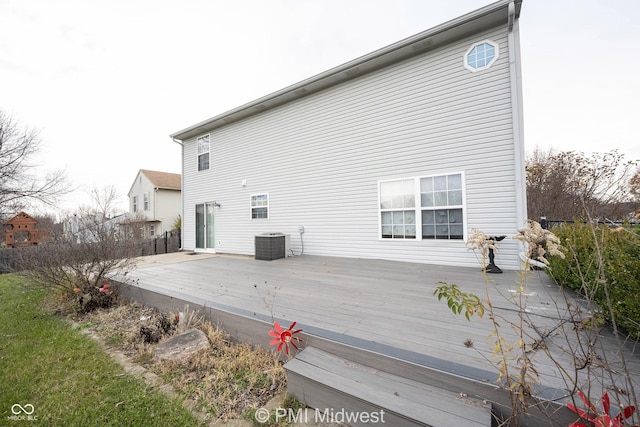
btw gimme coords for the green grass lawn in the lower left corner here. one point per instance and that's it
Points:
(67, 377)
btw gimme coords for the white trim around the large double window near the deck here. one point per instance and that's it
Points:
(418, 209)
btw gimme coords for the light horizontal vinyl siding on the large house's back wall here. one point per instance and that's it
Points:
(320, 159)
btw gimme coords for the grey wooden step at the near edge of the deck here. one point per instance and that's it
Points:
(331, 384)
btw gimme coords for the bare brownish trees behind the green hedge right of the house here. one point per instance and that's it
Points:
(570, 185)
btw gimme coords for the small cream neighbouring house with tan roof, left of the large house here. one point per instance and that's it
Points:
(155, 201)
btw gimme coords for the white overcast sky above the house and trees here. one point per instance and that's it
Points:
(106, 82)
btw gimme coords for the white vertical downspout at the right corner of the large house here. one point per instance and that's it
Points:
(515, 75)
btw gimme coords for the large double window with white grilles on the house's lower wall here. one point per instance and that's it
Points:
(429, 207)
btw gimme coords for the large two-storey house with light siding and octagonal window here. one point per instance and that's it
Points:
(395, 155)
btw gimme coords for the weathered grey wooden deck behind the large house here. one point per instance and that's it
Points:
(385, 307)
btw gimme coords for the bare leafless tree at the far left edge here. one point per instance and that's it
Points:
(19, 185)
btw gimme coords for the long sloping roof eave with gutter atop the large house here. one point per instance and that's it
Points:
(486, 17)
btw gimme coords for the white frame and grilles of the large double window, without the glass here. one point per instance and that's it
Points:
(417, 209)
